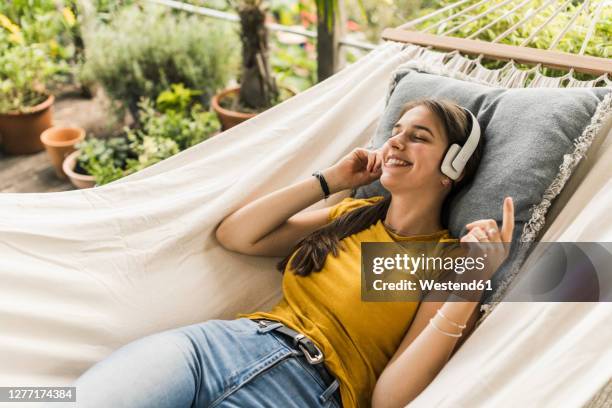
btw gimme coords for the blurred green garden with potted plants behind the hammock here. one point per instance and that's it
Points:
(145, 81)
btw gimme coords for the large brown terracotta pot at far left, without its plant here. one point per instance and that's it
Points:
(20, 132)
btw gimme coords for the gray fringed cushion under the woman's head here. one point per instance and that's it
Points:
(527, 131)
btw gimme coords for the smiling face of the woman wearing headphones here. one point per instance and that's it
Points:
(417, 138)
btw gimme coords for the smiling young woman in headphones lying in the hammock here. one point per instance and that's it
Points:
(321, 346)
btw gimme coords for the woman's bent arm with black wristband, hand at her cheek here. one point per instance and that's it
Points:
(269, 225)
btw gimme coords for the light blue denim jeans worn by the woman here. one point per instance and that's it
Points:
(217, 363)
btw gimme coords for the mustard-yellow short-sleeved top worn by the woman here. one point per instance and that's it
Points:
(357, 338)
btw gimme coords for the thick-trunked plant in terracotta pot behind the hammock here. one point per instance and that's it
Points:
(258, 90)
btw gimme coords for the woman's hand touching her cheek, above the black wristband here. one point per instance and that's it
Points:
(359, 167)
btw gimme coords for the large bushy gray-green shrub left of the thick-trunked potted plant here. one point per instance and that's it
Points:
(142, 51)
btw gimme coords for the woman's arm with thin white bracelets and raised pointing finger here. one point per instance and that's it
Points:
(426, 347)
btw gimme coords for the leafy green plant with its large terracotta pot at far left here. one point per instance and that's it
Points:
(25, 104)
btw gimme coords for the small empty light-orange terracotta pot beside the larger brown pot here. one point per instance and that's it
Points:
(59, 142)
